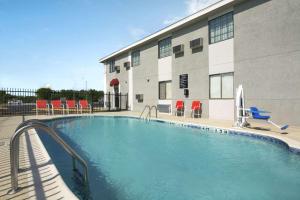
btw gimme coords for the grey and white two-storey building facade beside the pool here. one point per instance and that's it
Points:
(205, 56)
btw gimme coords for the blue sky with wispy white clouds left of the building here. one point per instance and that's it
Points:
(57, 43)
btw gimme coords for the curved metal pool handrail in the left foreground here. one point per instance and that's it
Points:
(14, 150)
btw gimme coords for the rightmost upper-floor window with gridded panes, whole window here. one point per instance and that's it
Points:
(221, 28)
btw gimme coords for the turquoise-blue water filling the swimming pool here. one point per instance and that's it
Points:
(138, 160)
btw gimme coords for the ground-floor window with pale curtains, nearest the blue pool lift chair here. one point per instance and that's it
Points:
(221, 86)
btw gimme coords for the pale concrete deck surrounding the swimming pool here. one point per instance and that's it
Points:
(39, 178)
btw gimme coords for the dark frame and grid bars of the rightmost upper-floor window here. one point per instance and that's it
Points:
(218, 19)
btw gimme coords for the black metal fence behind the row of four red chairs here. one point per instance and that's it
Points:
(14, 102)
